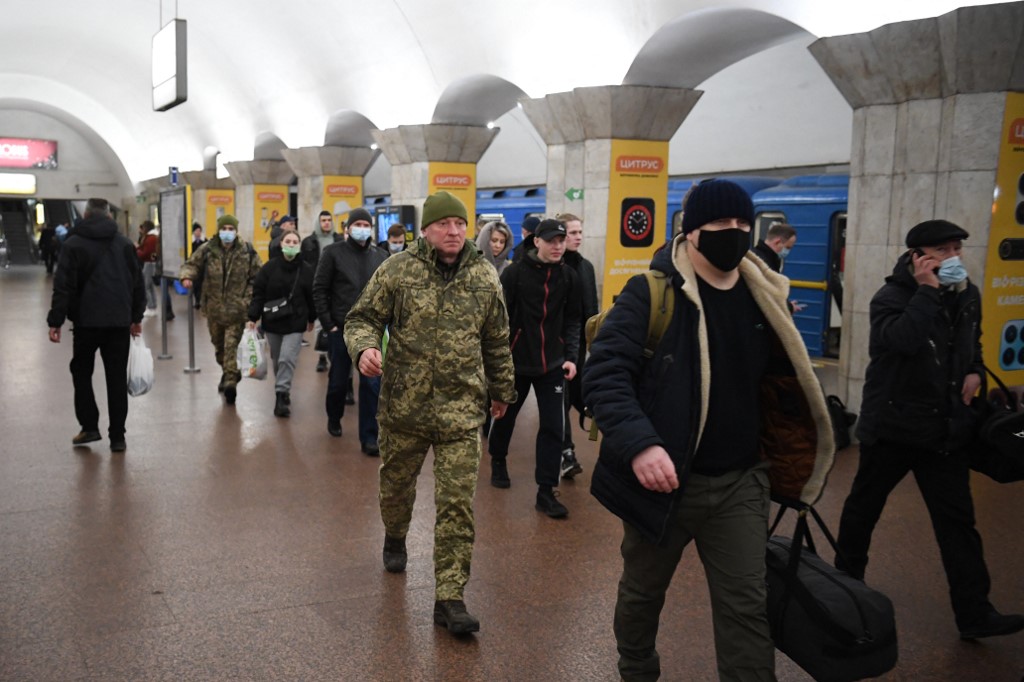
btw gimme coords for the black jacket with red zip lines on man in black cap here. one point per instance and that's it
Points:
(544, 306)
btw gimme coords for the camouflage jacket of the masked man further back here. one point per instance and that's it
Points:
(228, 279)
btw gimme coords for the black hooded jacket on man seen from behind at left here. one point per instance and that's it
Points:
(99, 281)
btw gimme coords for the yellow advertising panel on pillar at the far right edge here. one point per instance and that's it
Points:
(1003, 293)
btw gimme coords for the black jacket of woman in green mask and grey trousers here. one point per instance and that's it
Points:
(276, 280)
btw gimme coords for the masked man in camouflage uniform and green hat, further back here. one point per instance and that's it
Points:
(227, 267)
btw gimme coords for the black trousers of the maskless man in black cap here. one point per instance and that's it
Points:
(549, 389)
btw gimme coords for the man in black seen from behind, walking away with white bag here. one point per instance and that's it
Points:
(99, 287)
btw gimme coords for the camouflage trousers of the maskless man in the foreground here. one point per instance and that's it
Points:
(456, 464)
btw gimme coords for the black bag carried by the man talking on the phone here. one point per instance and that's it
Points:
(998, 450)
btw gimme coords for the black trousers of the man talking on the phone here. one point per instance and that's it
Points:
(945, 484)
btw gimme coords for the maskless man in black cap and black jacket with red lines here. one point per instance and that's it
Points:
(543, 300)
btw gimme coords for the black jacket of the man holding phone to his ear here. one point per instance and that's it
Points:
(924, 342)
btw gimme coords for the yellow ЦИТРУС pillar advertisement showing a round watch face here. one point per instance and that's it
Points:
(638, 195)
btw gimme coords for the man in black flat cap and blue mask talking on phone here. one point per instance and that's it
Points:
(925, 367)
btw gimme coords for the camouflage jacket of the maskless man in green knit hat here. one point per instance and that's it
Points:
(448, 350)
